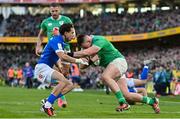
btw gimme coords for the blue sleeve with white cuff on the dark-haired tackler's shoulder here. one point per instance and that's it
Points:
(57, 44)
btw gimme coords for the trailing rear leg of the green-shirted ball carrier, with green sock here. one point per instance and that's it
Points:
(137, 97)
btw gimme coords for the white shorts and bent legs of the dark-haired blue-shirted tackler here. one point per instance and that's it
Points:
(44, 74)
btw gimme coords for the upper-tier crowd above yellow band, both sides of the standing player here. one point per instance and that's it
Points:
(103, 24)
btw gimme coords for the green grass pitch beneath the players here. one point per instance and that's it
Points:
(25, 103)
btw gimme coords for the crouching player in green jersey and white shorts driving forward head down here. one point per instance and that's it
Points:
(115, 67)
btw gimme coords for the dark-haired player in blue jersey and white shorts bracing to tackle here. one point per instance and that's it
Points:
(53, 51)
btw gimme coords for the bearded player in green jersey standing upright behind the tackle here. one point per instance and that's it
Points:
(50, 26)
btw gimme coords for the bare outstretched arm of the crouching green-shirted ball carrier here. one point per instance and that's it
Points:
(87, 52)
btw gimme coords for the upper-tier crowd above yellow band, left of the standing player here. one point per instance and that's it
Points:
(23, 25)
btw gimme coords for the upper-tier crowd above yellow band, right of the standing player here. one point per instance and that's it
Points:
(115, 24)
